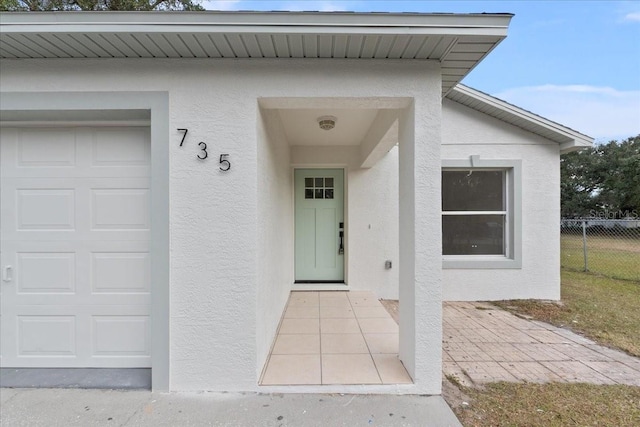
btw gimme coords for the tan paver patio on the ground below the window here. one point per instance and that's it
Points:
(483, 344)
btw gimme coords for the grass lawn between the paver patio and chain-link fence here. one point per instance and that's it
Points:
(602, 309)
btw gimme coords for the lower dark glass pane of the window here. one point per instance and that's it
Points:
(473, 235)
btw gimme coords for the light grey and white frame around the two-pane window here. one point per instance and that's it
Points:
(513, 219)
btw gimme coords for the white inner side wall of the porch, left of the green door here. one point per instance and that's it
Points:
(275, 234)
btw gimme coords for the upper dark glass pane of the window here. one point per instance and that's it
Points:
(473, 190)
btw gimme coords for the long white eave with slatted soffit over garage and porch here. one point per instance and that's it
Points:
(458, 41)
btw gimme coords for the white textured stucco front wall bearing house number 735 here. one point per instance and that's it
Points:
(218, 284)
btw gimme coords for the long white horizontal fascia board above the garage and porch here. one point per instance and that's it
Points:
(256, 22)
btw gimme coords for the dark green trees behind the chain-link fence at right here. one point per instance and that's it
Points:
(604, 178)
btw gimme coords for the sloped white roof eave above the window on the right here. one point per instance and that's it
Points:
(568, 139)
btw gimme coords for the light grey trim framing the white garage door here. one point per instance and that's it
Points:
(20, 108)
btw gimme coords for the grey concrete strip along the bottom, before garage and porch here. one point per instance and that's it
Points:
(73, 407)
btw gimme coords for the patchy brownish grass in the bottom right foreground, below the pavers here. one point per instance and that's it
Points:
(512, 404)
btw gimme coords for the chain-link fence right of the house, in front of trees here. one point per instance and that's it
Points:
(610, 247)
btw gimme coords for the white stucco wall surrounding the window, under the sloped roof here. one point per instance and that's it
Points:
(466, 132)
